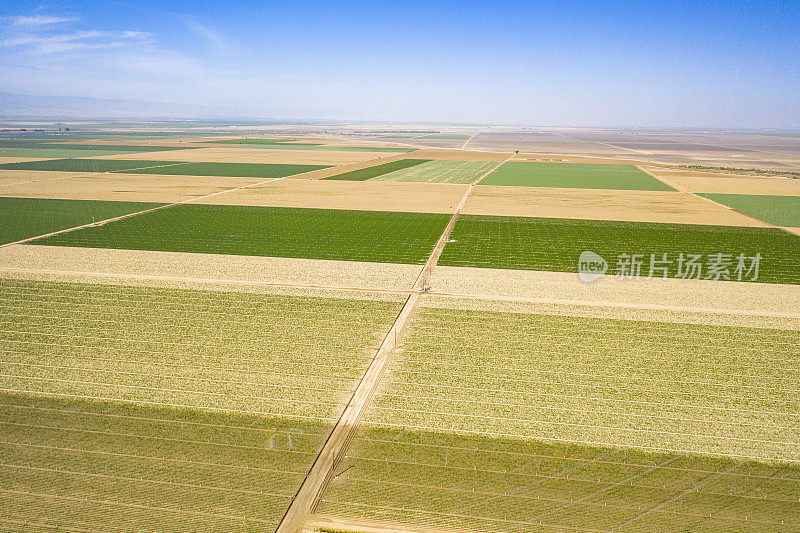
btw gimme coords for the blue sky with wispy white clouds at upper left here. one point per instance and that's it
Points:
(712, 64)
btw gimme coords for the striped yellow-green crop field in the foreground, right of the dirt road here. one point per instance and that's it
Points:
(549, 423)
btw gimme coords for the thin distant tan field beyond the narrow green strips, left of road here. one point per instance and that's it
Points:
(237, 154)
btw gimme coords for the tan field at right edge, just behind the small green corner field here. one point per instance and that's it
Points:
(731, 184)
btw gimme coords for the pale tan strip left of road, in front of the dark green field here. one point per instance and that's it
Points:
(194, 270)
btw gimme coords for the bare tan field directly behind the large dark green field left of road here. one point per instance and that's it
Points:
(357, 195)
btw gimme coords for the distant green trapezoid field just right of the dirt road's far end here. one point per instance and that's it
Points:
(625, 177)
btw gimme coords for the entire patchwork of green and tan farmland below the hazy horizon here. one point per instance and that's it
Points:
(282, 346)
